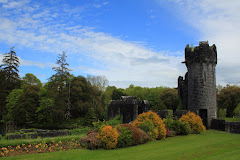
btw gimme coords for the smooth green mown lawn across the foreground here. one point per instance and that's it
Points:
(212, 145)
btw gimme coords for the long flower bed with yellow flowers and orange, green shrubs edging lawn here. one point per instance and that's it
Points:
(148, 126)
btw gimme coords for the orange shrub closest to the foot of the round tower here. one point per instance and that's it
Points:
(194, 121)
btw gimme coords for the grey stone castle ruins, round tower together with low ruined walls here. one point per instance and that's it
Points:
(197, 89)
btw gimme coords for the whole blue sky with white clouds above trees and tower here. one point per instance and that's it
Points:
(138, 42)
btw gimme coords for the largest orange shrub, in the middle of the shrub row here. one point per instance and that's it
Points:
(152, 123)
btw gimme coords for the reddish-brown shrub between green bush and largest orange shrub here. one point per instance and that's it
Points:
(138, 136)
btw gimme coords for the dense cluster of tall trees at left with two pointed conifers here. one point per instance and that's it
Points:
(27, 103)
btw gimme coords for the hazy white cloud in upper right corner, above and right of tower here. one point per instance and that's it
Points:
(218, 22)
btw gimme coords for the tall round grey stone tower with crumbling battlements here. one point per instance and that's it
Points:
(198, 90)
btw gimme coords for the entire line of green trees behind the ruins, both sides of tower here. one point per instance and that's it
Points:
(25, 102)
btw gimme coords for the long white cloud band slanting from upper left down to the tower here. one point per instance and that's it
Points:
(117, 59)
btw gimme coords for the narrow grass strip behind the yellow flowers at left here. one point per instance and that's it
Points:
(14, 142)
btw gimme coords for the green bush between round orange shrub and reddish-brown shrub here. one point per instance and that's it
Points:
(125, 137)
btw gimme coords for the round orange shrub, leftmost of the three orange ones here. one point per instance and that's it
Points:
(108, 137)
